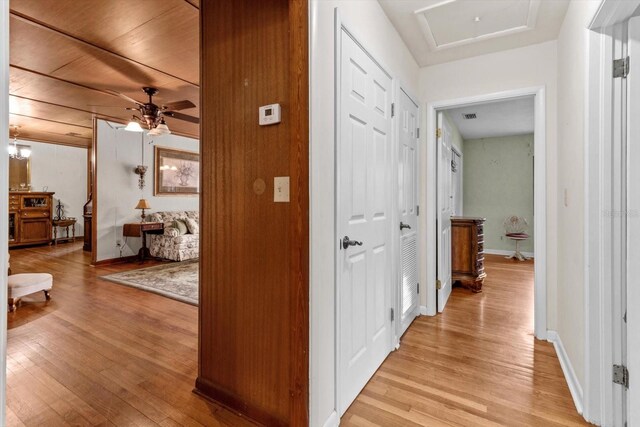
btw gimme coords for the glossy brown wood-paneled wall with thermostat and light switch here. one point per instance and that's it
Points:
(253, 318)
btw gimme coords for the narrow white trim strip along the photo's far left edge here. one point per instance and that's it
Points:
(4, 195)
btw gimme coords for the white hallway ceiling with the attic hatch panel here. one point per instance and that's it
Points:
(438, 31)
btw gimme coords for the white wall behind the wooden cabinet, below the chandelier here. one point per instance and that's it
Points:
(63, 170)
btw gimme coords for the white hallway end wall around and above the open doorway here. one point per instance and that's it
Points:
(526, 67)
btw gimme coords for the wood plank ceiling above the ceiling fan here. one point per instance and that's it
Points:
(69, 56)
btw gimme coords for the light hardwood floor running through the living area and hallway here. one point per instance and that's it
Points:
(104, 354)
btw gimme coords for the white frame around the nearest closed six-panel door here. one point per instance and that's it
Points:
(342, 25)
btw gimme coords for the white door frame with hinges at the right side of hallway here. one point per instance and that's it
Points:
(601, 404)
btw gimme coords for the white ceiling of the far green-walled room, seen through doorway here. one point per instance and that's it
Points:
(502, 118)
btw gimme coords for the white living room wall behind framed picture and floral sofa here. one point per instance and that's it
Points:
(118, 154)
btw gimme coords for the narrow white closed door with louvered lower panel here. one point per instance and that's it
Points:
(408, 215)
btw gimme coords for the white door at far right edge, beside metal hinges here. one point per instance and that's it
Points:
(632, 327)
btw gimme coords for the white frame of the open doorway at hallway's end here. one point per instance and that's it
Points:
(429, 158)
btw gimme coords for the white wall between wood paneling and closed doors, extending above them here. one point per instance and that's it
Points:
(366, 20)
